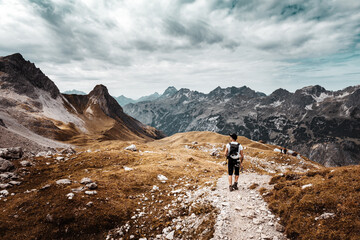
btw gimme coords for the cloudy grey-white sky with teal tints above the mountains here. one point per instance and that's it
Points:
(137, 47)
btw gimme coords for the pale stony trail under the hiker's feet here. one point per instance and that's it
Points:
(243, 213)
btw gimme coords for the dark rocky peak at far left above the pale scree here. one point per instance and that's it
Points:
(24, 77)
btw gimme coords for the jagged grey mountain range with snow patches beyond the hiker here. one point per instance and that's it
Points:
(322, 125)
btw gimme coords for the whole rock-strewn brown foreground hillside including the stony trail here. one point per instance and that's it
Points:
(166, 188)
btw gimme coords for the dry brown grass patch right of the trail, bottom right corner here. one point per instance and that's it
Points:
(333, 191)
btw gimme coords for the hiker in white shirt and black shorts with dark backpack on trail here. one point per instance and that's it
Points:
(235, 156)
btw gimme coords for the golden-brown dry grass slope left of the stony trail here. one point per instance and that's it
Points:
(24, 215)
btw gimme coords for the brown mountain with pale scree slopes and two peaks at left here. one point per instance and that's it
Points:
(32, 107)
